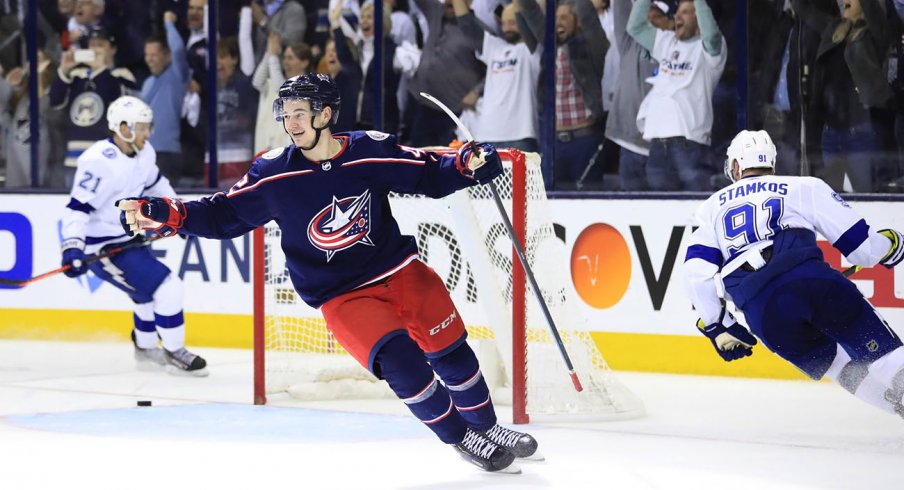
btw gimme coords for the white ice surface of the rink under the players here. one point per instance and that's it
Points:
(68, 419)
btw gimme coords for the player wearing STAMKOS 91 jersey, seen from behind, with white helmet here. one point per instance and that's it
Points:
(758, 236)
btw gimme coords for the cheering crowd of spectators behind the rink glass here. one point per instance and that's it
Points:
(646, 93)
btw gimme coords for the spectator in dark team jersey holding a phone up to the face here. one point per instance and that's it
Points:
(83, 91)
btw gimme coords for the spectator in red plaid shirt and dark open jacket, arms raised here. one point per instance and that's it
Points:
(580, 57)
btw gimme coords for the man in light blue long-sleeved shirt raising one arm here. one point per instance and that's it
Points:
(164, 90)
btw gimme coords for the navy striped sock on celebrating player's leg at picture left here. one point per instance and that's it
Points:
(402, 364)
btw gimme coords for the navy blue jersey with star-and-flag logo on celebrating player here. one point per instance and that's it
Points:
(338, 232)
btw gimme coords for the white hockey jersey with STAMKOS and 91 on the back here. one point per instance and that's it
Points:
(738, 221)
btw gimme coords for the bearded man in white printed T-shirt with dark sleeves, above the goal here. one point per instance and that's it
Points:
(510, 86)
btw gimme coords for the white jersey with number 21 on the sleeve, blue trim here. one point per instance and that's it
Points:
(104, 175)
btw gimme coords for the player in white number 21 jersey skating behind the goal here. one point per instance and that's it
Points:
(121, 166)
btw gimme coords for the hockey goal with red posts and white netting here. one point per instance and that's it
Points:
(463, 238)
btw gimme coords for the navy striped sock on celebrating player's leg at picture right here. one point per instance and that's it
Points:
(460, 372)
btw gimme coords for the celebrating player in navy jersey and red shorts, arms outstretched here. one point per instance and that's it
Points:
(346, 255)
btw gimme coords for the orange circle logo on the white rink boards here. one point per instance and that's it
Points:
(600, 266)
